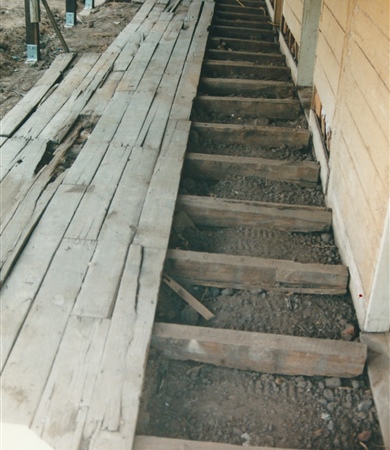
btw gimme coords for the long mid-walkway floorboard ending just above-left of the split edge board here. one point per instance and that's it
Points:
(97, 295)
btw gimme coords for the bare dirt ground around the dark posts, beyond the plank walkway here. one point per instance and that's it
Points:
(94, 32)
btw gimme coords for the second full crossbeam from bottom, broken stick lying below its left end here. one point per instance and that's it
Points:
(248, 272)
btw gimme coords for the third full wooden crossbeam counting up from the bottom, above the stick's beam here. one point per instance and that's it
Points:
(219, 212)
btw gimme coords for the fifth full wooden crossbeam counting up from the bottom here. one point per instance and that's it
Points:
(237, 134)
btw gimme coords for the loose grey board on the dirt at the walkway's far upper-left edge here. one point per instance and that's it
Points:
(14, 118)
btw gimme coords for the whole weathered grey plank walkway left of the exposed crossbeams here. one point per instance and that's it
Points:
(96, 223)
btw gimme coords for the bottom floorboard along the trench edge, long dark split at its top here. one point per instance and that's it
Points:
(112, 419)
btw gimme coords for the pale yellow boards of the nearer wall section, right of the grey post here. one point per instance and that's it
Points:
(351, 77)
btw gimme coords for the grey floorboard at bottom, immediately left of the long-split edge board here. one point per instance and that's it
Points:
(62, 410)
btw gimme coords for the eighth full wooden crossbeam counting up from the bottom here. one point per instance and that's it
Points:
(231, 69)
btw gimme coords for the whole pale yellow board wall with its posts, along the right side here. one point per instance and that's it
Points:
(350, 77)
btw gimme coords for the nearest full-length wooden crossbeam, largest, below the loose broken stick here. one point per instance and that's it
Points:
(261, 352)
